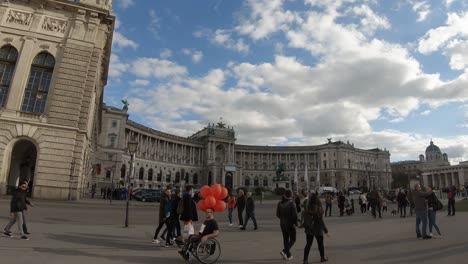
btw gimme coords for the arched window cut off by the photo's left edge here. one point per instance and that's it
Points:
(8, 56)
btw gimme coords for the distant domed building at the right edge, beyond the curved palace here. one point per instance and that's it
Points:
(434, 169)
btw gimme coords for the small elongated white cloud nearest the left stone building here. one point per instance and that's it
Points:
(156, 68)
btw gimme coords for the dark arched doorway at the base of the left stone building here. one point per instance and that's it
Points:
(22, 165)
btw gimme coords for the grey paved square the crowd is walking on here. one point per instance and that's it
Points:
(91, 231)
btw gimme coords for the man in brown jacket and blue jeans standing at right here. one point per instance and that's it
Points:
(420, 209)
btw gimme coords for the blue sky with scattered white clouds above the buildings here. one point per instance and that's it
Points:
(386, 74)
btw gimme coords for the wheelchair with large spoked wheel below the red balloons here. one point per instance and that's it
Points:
(206, 252)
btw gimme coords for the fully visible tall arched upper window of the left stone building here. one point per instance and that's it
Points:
(37, 89)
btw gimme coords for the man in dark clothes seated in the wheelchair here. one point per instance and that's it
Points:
(209, 229)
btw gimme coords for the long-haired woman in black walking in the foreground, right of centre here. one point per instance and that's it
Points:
(314, 227)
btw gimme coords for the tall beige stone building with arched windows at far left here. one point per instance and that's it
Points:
(54, 56)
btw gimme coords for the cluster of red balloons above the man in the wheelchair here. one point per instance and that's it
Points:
(214, 197)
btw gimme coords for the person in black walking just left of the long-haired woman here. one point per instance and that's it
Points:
(287, 213)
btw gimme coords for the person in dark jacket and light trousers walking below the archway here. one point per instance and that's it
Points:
(17, 206)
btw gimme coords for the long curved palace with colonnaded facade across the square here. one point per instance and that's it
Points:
(212, 156)
